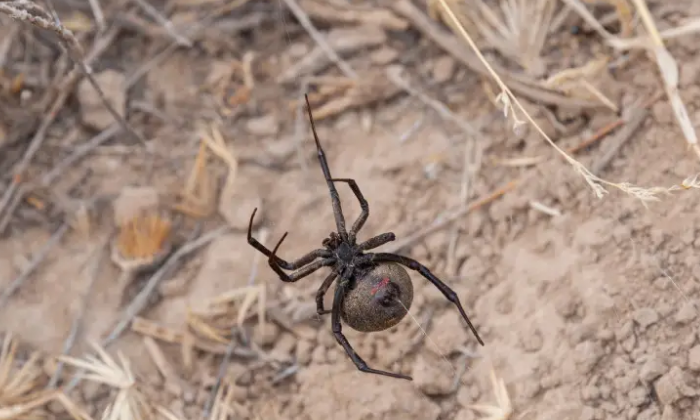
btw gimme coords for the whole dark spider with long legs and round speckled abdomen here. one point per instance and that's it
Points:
(374, 291)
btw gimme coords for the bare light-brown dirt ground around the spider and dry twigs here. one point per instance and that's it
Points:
(588, 307)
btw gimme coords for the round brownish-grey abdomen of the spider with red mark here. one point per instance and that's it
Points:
(379, 300)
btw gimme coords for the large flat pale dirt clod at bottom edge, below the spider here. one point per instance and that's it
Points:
(324, 392)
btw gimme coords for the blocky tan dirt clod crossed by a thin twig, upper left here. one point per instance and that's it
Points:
(94, 112)
